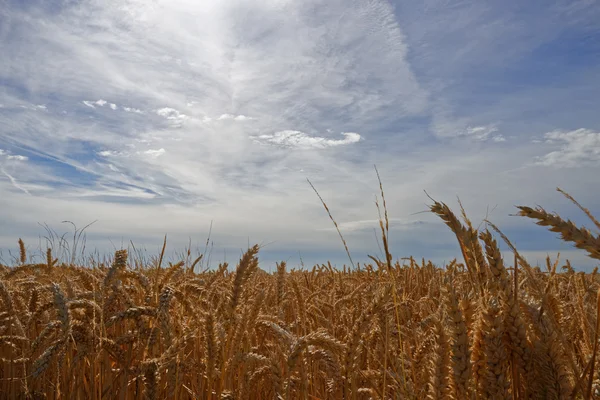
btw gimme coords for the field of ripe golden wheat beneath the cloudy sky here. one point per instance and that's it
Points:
(481, 327)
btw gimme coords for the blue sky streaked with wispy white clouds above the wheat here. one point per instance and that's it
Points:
(181, 117)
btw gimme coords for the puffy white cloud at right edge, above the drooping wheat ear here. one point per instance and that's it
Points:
(577, 148)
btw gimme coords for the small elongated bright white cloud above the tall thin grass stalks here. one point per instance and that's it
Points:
(302, 140)
